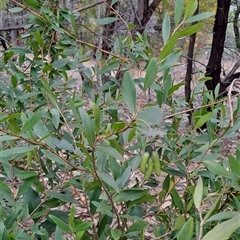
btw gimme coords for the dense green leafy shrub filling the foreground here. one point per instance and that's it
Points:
(71, 159)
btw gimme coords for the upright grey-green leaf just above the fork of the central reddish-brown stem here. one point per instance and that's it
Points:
(88, 126)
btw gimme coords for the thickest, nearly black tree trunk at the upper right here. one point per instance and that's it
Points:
(219, 32)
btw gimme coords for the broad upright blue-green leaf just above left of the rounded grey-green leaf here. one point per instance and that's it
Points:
(129, 92)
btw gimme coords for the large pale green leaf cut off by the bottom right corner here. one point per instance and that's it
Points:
(224, 230)
